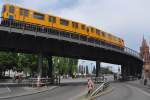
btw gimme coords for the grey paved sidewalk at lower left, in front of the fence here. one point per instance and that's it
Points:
(22, 91)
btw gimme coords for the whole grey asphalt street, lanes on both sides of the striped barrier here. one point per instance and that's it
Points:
(72, 89)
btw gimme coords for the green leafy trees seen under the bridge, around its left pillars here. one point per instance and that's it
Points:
(28, 63)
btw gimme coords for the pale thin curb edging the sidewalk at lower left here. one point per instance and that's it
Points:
(25, 94)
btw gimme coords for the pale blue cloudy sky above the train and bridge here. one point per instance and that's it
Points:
(128, 19)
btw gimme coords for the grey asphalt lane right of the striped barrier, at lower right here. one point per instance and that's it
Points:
(125, 91)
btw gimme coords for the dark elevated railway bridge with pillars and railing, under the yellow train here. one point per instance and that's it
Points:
(53, 42)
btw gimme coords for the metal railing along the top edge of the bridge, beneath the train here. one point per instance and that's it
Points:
(53, 31)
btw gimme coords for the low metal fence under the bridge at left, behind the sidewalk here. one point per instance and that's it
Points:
(31, 82)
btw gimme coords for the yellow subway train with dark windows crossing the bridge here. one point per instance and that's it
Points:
(39, 19)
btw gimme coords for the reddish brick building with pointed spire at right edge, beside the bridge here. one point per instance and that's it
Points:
(145, 54)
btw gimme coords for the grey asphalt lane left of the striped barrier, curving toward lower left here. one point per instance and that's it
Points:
(66, 92)
